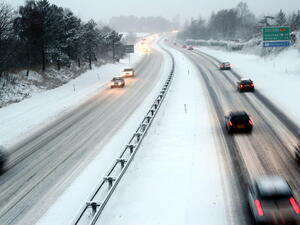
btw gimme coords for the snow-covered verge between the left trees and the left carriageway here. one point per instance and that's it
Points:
(23, 118)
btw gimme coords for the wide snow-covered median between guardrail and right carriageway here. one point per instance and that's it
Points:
(175, 177)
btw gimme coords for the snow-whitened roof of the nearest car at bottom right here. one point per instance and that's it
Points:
(272, 185)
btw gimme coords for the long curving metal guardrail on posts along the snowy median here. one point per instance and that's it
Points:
(92, 209)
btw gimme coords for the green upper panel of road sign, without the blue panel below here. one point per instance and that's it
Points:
(276, 34)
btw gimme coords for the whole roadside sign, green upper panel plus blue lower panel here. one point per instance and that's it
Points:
(276, 36)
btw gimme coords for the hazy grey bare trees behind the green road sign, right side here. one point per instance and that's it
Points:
(237, 23)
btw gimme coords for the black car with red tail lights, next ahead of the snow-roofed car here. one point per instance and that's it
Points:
(238, 121)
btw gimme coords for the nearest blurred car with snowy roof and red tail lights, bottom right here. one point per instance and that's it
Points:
(271, 201)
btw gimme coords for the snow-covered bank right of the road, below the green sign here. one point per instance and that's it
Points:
(275, 76)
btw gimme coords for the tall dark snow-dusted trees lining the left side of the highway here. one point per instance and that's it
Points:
(39, 34)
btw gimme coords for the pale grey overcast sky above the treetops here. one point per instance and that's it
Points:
(102, 10)
